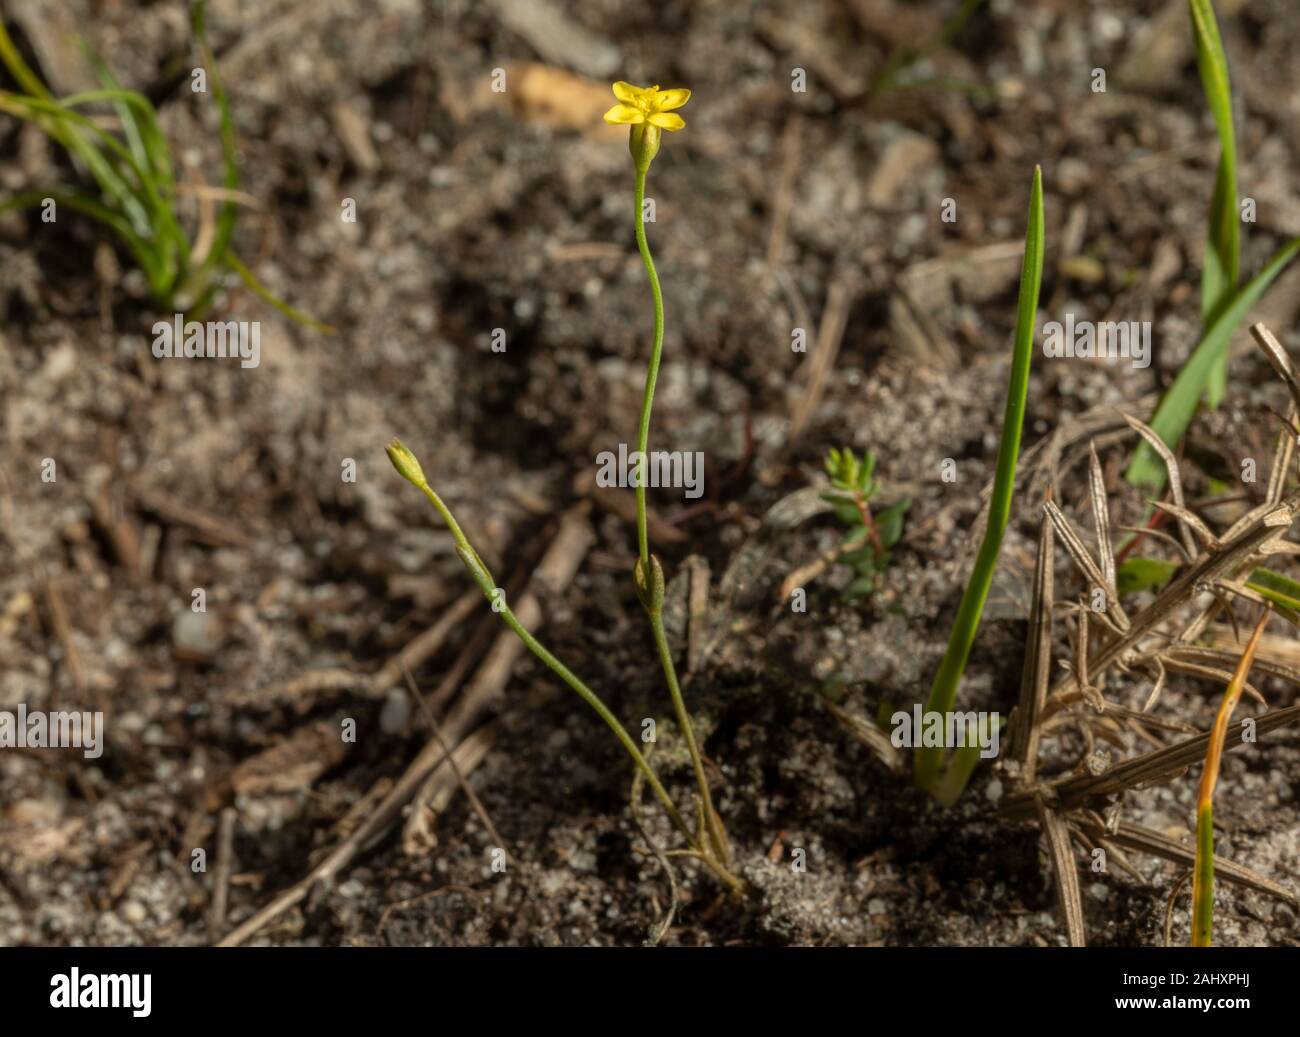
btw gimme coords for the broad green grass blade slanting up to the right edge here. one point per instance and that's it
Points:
(1180, 403)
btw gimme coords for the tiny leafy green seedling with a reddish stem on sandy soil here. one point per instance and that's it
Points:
(866, 545)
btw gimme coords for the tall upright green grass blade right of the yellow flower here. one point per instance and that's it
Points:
(943, 693)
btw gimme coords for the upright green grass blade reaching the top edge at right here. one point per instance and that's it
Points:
(1224, 236)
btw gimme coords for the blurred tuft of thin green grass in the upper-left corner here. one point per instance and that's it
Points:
(138, 194)
